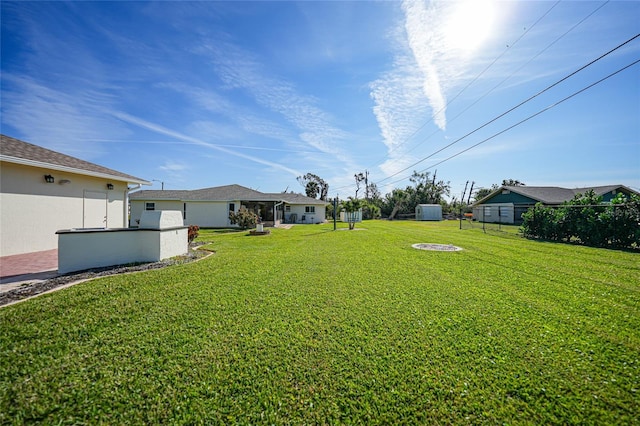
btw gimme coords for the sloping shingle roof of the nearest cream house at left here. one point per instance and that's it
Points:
(13, 150)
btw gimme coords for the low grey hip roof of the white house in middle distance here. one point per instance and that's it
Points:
(222, 193)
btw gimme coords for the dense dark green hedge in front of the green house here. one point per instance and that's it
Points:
(586, 220)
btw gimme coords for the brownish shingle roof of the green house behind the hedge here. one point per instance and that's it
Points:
(552, 194)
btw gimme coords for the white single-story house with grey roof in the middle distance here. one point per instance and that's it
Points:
(210, 207)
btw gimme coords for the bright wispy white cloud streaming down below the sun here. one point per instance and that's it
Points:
(413, 93)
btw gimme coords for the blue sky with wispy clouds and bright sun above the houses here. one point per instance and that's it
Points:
(200, 94)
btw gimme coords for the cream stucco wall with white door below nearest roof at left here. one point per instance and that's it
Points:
(31, 210)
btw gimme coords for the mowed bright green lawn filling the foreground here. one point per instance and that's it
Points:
(311, 326)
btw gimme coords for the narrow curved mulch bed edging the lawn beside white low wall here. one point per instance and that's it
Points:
(38, 287)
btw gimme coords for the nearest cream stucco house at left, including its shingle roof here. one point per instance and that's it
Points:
(43, 191)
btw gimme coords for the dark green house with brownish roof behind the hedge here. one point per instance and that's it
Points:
(507, 203)
